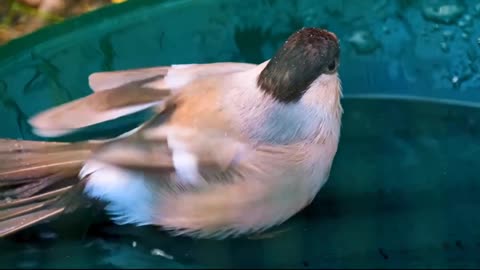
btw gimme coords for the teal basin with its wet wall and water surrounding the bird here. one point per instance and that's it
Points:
(404, 187)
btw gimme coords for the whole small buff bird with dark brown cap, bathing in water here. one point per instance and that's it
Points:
(231, 148)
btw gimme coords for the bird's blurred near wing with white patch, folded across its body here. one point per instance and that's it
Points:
(191, 157)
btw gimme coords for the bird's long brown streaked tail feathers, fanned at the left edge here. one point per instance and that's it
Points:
(38, 181)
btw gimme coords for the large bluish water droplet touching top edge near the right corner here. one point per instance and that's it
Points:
(445, 12)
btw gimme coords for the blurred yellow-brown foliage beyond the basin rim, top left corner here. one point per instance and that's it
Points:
(20, 17)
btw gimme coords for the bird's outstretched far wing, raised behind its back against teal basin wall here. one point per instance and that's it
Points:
(121, 93)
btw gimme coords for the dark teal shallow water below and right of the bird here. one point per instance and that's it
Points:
(403, 193)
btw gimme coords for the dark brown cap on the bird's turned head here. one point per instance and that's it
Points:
(305, 56)
